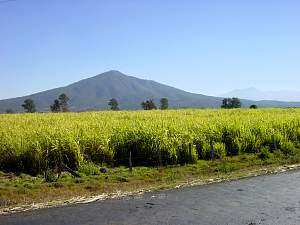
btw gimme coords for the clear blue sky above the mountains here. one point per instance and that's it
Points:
(207, 47)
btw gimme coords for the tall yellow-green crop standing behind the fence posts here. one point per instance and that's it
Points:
(31, 143)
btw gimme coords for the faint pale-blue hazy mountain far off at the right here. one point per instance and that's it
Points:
(256, 94)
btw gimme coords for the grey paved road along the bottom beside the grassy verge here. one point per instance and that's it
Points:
(271, 200)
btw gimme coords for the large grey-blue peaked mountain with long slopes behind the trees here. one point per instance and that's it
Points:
(94, 93)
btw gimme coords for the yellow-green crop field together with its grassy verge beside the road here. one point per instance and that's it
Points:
(238, 141)
